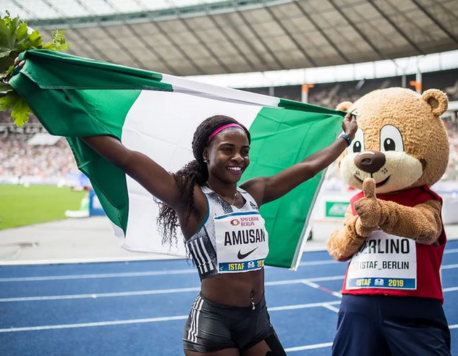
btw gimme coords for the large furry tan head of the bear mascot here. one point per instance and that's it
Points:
(401, 141)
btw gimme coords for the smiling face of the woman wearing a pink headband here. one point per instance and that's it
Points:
(227, 155)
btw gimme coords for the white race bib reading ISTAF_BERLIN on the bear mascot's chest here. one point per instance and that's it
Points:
(384, 261)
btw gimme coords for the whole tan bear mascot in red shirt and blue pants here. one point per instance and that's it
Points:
(392, 231)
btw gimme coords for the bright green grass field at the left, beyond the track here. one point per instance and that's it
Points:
(20, 206)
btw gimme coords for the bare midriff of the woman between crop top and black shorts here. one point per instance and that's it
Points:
(237, 290)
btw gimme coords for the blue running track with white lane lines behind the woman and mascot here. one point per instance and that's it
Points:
(139, 308)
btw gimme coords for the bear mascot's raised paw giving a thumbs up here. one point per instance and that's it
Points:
(368, 209)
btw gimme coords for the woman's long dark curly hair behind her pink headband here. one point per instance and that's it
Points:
(194, 172)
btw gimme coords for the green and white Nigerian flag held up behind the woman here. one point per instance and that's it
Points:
(157, 114)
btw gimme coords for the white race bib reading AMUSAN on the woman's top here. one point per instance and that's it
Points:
(242, 242)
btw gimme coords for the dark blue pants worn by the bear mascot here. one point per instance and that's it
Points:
(391, 326)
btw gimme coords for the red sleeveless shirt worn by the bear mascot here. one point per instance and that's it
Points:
(426, 282)
